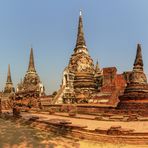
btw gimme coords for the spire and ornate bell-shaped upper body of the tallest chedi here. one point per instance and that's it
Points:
(81, 61)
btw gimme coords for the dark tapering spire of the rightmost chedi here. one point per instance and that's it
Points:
(138, 64)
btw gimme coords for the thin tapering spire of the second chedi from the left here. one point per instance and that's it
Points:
(31, 67)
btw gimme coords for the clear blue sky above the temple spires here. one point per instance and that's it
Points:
(112, 29)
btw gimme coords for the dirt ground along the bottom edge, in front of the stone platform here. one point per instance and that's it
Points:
(16, 135)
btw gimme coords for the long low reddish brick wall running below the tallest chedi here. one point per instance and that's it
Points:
(95, 109)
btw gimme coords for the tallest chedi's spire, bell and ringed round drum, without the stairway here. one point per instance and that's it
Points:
(81, 64)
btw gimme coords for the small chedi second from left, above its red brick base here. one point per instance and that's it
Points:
(31, 86)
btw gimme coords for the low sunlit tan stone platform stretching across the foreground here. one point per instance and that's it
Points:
(134, 132)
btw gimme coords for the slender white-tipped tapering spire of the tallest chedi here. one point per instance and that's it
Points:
(80, 36)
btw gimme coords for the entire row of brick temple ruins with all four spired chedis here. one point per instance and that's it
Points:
(83, 82)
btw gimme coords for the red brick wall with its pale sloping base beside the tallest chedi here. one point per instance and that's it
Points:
(113, 85)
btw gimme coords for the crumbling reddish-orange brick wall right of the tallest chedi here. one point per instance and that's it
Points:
(113, 83)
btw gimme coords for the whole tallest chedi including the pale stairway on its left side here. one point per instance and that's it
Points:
(79, 81)
